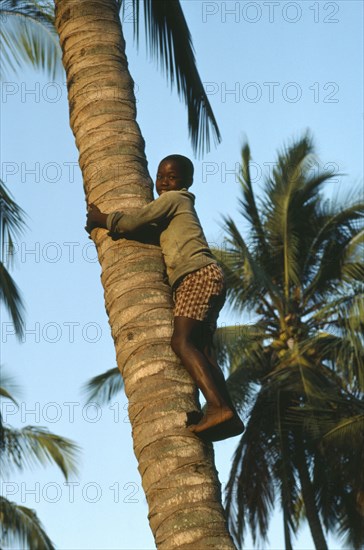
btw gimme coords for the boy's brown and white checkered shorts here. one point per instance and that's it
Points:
(200, 295)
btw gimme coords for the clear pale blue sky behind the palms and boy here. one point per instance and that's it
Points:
(272, 70)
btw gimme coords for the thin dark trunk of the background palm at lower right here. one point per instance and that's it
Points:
(308, 495)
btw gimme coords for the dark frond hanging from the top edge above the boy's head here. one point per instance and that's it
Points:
(170, 42)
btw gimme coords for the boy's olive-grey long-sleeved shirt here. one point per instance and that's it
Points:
(182, 240)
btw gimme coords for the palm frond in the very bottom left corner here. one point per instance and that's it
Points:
(21, 528)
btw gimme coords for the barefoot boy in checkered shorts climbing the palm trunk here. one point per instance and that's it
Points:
(197, 283)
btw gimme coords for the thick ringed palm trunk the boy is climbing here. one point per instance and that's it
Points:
(177, 469)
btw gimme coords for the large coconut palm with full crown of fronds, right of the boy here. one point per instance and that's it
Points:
(296, 369)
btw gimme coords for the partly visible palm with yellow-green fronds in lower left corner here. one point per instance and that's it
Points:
(20, 448)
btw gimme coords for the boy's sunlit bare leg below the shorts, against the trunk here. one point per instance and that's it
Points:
(185, 343)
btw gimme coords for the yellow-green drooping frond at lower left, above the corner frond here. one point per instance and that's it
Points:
(30, 446)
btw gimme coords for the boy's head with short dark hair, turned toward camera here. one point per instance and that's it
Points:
(174, 172)
